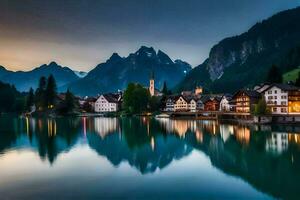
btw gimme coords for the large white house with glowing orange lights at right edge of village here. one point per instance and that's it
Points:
(283, 99)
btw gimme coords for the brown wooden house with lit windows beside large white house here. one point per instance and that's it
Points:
(245, 99)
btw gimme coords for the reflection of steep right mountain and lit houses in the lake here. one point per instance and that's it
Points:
(268, 159)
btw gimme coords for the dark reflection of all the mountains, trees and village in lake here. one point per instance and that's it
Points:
(267, 157)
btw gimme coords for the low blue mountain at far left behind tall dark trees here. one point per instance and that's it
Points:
(24, 80)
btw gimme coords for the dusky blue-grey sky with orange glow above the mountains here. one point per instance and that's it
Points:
(83, 33)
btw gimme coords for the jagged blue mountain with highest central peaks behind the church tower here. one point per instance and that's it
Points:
(118, 71)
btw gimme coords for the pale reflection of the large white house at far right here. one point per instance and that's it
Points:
(277, 143)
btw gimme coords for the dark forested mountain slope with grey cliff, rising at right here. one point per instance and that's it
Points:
(244, 60)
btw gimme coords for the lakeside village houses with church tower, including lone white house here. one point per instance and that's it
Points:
(280, 102)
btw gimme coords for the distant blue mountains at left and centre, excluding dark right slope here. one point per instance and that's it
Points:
(112, 75)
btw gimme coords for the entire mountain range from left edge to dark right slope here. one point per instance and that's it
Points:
(233, 63)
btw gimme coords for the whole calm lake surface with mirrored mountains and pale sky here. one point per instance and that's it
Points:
(146, 158)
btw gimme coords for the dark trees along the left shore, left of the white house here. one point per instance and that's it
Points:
(44, 99)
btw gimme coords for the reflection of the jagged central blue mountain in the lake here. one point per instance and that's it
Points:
(146, 152)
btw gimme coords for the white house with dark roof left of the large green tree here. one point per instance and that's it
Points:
(108, 103)
